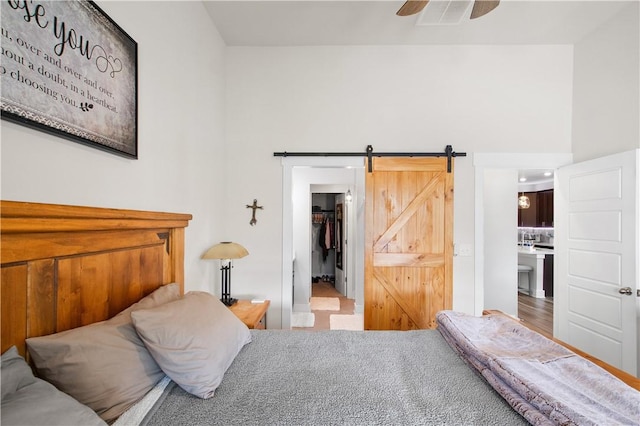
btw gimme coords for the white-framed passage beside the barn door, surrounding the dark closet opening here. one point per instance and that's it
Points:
(303, 176)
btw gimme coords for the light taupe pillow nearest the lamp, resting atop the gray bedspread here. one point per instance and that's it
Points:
(194, 340)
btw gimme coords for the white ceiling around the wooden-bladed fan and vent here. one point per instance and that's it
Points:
(362, 22)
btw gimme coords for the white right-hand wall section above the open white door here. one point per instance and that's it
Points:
(606, 106)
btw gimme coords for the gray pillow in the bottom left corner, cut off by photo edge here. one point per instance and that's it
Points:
(27, 400)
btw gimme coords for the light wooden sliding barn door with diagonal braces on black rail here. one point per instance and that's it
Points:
(409, 243)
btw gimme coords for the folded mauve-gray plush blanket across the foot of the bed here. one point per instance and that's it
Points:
(542, 380)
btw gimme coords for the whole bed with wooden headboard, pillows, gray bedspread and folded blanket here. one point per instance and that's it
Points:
(93, 299)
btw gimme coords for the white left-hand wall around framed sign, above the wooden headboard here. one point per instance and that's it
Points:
(181, 134)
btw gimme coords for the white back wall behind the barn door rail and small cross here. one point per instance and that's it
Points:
(396, 98)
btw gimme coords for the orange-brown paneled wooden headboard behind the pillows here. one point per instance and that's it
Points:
(68, 266)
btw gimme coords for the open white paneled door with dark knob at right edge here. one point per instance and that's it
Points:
(597, 248)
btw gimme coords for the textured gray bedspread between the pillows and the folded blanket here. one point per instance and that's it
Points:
(342, 378)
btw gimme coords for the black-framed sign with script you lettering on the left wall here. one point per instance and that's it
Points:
(70, 70)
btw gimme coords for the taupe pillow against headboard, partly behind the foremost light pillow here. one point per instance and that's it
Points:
(103, 365)
